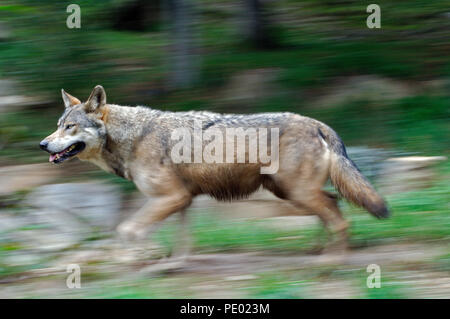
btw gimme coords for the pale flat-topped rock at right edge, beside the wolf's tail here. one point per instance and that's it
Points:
(408, 173)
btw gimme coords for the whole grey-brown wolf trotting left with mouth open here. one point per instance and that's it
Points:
(136, 143)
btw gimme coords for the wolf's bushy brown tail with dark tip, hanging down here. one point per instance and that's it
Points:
(348, 180)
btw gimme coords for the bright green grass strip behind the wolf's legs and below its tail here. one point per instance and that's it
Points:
(416, 216)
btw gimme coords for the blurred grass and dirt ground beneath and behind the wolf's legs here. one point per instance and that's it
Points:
(260, 258)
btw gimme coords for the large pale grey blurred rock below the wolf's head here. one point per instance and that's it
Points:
(60, 216)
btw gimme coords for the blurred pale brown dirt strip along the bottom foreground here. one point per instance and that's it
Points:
(235, 275)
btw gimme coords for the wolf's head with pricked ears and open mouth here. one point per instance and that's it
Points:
(81, 130)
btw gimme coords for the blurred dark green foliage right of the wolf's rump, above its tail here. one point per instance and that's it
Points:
(418, 124)
